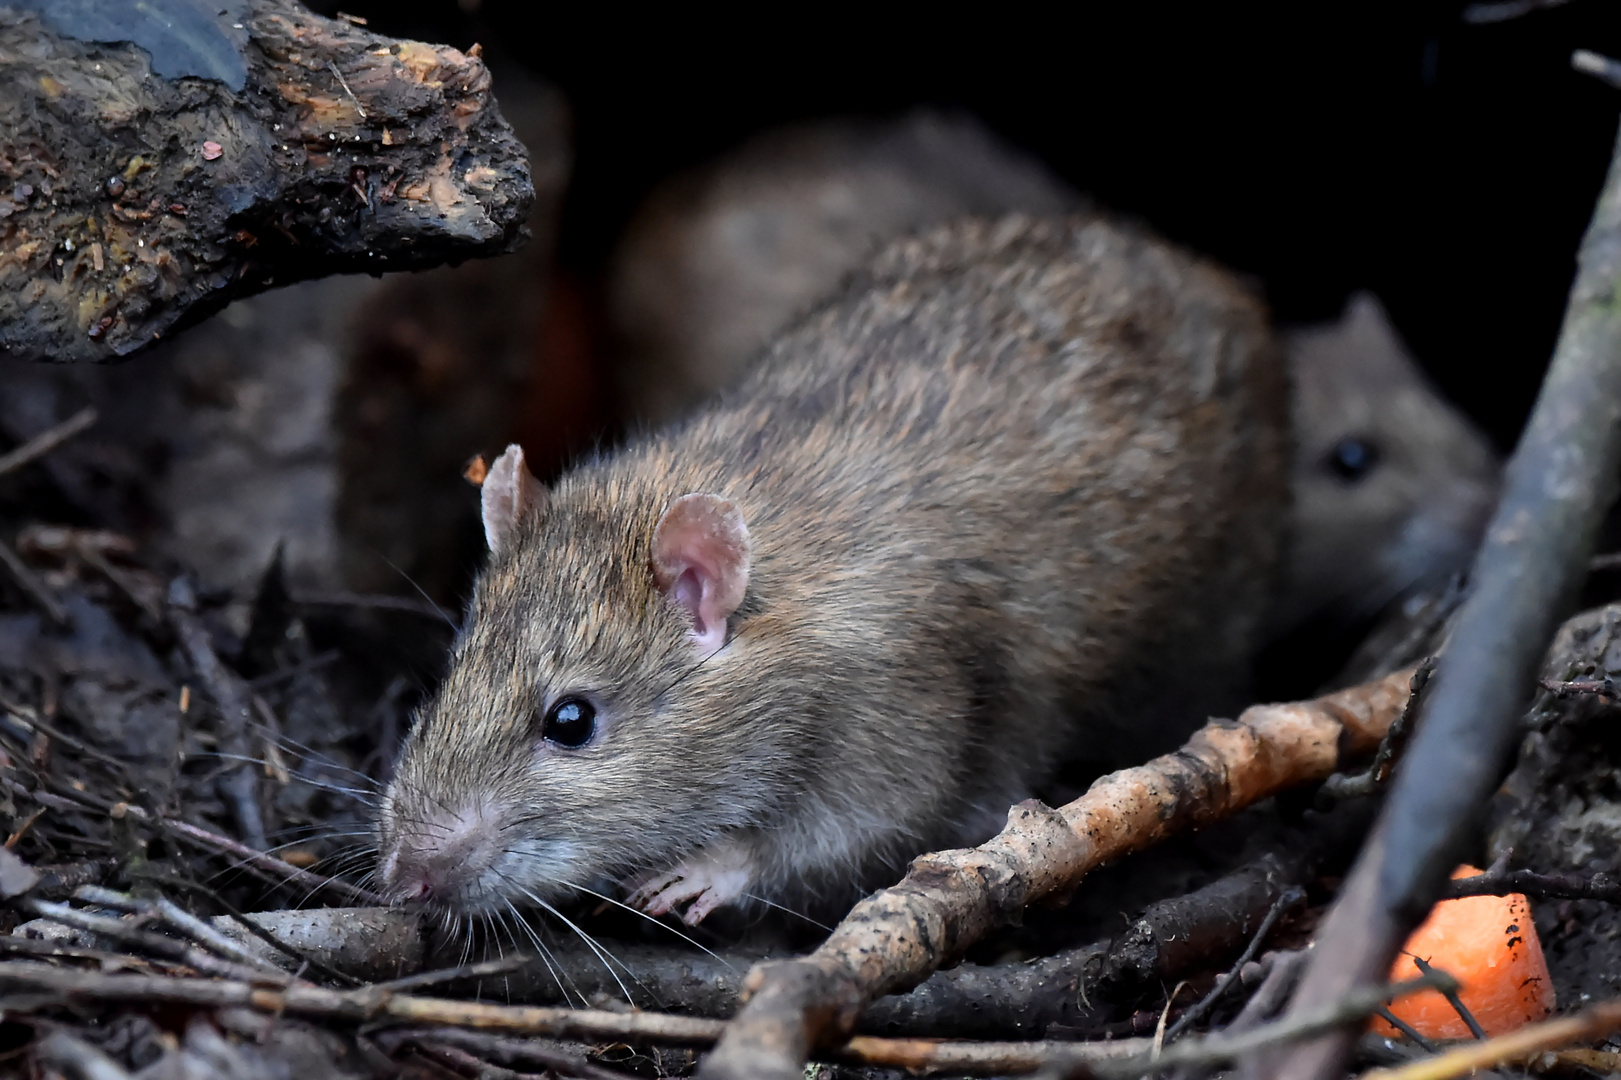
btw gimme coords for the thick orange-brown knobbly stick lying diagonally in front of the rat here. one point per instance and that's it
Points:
(947, 901)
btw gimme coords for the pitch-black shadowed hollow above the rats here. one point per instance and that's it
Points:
(1444, 163)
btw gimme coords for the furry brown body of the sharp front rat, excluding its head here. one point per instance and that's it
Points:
(1017, 479)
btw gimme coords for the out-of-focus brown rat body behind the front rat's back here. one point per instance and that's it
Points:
(722, 259)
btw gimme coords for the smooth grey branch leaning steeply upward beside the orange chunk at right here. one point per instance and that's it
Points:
(1557, 489)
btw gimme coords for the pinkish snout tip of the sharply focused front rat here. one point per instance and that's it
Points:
(438, 857)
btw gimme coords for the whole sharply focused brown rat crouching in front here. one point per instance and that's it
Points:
(944, 536)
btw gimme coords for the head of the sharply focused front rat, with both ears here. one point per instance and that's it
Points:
(583, 724)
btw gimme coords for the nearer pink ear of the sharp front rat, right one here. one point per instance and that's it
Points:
(701, 560)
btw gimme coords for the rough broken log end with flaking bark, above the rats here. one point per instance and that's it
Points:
(147, 186)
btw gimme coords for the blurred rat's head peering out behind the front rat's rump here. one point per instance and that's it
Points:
(1392, 486)
